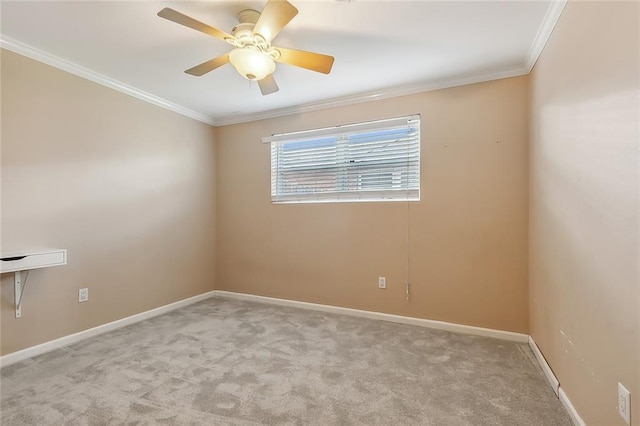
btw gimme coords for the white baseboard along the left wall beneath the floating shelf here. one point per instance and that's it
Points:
(21, 355)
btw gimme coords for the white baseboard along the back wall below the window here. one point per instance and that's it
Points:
(440, 325)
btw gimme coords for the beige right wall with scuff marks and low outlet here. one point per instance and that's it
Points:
(584, 282)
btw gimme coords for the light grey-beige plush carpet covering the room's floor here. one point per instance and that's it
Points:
(223, 362)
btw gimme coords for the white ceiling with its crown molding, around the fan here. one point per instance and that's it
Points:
(381, 48)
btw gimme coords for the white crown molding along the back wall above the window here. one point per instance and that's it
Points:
(374, 96)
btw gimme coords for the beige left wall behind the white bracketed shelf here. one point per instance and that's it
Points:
(126, 187)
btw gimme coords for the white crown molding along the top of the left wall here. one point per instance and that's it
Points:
(70, 67)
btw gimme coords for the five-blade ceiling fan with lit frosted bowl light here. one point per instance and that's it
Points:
(253, 56)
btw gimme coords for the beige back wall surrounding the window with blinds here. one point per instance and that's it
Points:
(467, 240)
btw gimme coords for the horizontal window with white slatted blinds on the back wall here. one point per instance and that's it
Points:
(374, 161)
